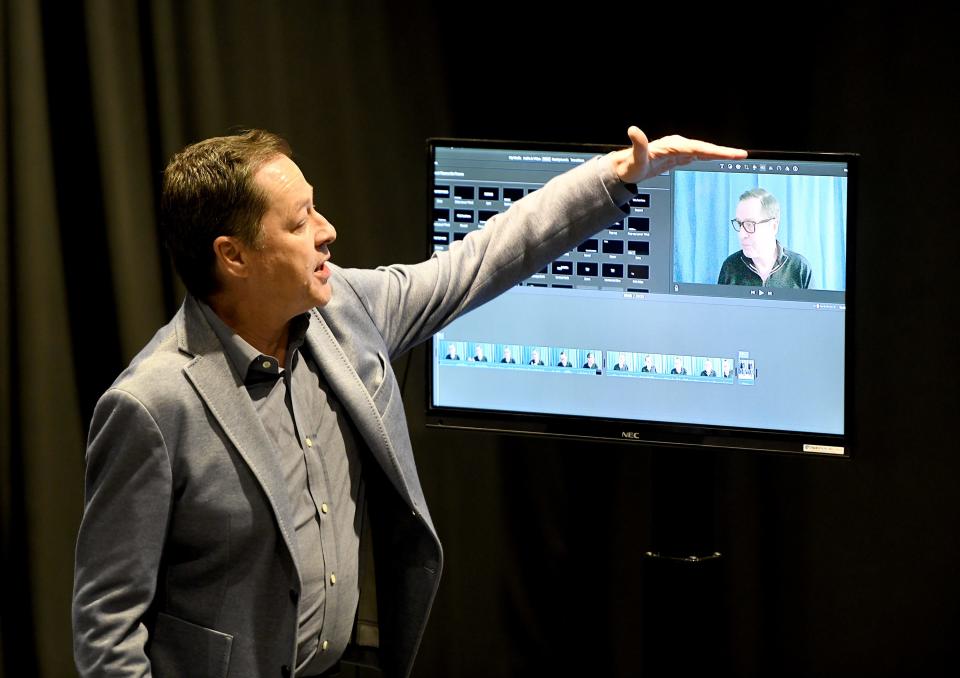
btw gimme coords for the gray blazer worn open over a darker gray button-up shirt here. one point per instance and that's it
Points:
(187, 562)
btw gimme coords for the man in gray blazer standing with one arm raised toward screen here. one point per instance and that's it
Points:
(252, 505)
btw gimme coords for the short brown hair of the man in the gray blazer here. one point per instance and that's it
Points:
(209, 191)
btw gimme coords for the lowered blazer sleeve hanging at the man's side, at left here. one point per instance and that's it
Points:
(126, 511)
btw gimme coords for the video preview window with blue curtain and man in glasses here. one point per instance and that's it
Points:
(734, 229)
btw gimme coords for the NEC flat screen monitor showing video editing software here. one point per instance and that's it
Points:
(658, 329)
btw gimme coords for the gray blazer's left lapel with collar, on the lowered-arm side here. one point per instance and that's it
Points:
(228, 401)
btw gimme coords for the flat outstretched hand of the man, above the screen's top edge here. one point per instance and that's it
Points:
(645, 159)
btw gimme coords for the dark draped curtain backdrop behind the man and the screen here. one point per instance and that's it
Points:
(830, 567)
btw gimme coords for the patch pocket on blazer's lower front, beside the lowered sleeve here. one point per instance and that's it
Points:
(181, 649)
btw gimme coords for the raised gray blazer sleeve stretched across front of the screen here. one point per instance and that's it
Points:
(408, 303)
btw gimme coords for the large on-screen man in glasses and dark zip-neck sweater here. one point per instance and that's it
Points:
(762, 260)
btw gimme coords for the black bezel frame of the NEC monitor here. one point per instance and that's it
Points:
(656, 433)
